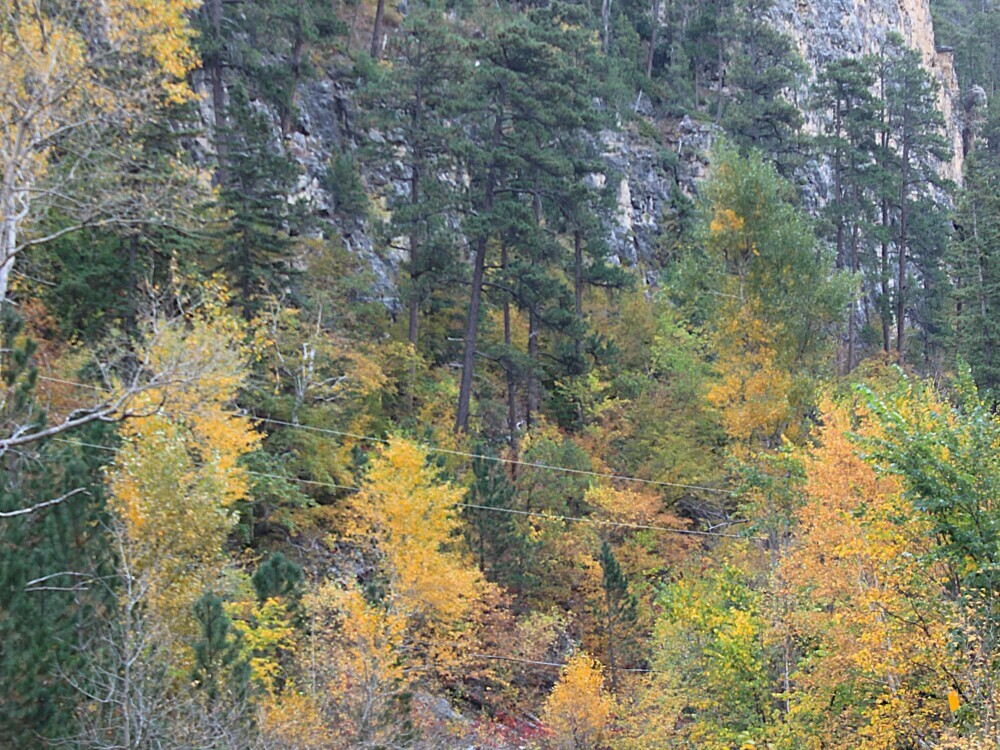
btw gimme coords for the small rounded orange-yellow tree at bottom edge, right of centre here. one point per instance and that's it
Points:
(578, 711)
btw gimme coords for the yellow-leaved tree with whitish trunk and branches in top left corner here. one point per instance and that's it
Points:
(87, 72)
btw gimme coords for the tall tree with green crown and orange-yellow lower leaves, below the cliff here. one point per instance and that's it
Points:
(772, 300)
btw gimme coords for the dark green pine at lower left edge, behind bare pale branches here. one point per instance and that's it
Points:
(51, 561)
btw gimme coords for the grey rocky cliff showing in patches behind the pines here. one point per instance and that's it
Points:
(648, 160)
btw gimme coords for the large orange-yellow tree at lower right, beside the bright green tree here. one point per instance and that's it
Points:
(872, 605)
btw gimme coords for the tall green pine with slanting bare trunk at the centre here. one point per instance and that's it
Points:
(535, 87)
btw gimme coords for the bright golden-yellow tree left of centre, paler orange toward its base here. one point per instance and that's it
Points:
(368, 650)
